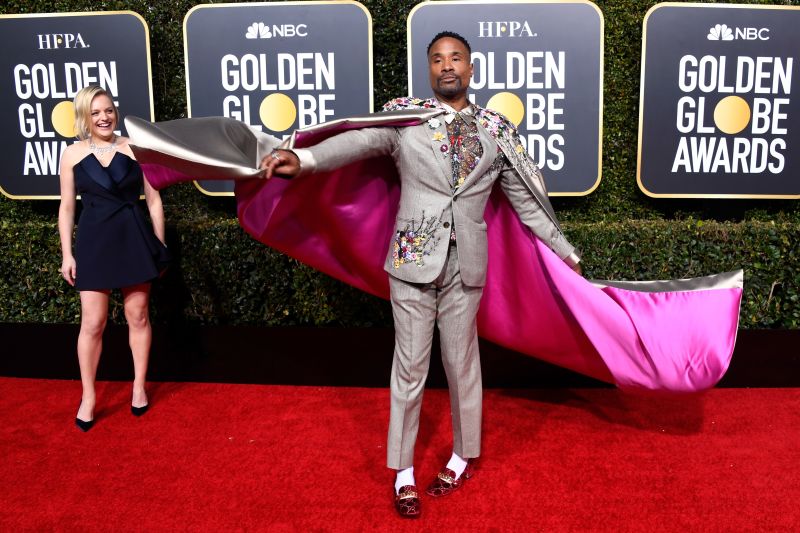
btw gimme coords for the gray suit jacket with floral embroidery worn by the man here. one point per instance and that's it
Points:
(428, 205)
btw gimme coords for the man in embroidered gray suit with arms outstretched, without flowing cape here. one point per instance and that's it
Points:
(438, 254)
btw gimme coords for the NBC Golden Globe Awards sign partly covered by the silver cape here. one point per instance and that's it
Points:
(278, 67)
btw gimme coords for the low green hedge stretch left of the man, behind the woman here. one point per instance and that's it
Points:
(220, 276)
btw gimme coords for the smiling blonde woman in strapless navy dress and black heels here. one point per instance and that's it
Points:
(115, 247)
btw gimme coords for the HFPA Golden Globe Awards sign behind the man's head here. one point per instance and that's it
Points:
(538, 63)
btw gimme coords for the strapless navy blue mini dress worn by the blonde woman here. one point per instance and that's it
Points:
(115, 246)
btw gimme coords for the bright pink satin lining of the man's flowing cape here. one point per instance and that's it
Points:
(637, 336)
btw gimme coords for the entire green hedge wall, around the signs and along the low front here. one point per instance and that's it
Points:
(223, 276)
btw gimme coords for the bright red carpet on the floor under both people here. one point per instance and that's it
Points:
(213, 457)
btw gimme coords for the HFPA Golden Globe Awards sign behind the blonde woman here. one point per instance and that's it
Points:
(54, 56)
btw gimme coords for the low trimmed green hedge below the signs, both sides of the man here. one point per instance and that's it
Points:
(222, 276)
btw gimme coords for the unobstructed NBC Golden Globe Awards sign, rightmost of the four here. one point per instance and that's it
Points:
(717, 117)
